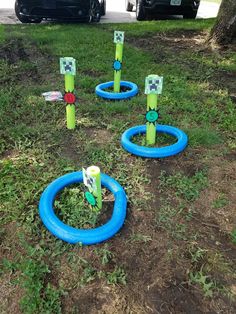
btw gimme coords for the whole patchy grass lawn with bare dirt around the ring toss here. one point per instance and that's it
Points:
(176, 251)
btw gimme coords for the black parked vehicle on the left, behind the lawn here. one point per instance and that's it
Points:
(34, 11)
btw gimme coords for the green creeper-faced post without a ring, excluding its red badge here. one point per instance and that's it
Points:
(68, 68)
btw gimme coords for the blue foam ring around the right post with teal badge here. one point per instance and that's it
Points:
(154, 152)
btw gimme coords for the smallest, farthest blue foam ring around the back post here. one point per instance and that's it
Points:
(100, 90)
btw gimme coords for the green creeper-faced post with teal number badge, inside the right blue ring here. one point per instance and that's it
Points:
(153, 87)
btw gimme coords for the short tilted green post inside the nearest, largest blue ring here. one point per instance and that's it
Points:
(92, 179)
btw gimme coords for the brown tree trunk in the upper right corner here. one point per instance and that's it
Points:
(224, 30)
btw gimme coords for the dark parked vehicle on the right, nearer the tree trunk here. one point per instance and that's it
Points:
(187, 8)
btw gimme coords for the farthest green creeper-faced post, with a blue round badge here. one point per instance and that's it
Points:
(117, 65)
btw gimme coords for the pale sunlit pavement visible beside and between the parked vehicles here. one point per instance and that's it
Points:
(115, 12)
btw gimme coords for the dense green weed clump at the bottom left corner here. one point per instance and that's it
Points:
(40, 297)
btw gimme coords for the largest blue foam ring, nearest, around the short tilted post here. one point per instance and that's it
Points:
(73, 235)
